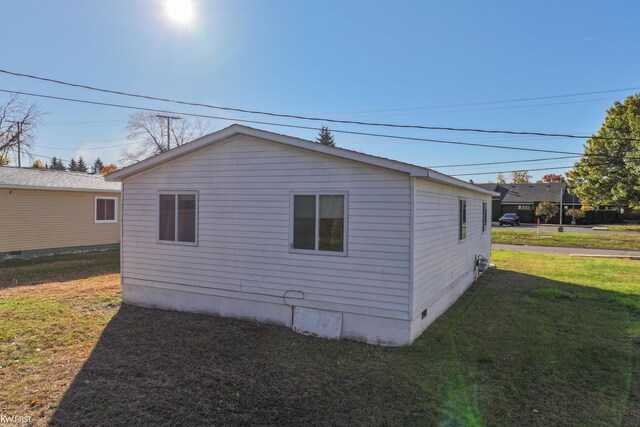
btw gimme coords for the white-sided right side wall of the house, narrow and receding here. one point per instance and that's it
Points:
(443, 265)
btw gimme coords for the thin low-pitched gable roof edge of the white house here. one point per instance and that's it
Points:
(235, 130)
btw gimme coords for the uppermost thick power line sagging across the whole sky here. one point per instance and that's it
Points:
(301, 117)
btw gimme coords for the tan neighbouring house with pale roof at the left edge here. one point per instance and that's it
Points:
(45, 210)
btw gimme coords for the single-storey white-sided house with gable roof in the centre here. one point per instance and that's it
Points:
(253, 224)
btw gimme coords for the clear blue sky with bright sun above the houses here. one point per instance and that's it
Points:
(389, 61)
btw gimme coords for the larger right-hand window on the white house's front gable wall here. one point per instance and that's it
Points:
(319, 222)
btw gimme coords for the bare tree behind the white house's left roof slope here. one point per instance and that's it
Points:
(150, 132)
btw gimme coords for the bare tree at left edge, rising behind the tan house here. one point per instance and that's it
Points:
(18, 124)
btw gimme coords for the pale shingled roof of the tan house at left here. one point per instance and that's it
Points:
(48, 179)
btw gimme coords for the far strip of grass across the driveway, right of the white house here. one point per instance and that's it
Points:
(573, 240)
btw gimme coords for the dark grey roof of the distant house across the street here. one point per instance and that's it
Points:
(530, 193)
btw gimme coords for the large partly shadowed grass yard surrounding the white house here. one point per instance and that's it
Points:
(541, 340)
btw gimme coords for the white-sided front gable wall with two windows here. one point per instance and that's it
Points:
(242, 266)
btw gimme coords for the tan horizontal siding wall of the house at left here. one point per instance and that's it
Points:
(46, 219)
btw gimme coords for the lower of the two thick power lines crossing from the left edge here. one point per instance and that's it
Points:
(230, 119)
